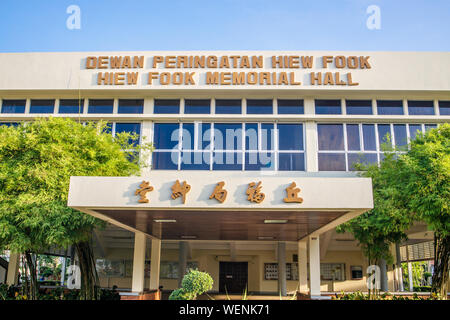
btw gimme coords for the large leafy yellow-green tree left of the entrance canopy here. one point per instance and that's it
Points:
(36, 162)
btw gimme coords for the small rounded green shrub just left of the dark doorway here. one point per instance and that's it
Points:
(193, 284)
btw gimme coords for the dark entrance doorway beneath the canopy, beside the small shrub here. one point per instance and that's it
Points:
(233, 276)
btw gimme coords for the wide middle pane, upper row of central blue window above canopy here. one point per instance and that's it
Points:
(227, 136)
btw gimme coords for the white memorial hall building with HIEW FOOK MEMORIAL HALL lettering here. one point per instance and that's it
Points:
(253, 158)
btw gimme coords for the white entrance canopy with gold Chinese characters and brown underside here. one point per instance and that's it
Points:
(220, 205)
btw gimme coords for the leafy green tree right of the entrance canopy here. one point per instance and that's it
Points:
(409, 186)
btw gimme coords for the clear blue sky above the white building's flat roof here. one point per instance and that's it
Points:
(40, 25)
